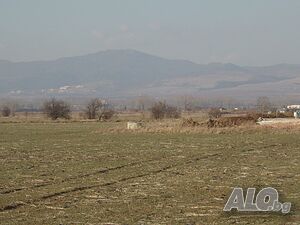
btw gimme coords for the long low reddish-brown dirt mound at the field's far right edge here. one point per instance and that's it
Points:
(231, 121)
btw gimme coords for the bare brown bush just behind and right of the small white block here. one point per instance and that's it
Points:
(161, 110)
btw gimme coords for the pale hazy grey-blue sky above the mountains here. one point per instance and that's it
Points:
(246, 32)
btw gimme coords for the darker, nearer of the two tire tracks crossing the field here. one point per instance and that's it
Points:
(14, 206)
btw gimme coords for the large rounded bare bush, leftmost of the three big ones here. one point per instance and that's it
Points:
(55, 109)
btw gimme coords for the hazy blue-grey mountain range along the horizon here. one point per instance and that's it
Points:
(129, 73)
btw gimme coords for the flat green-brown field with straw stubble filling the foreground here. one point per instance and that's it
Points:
(100, 173)
